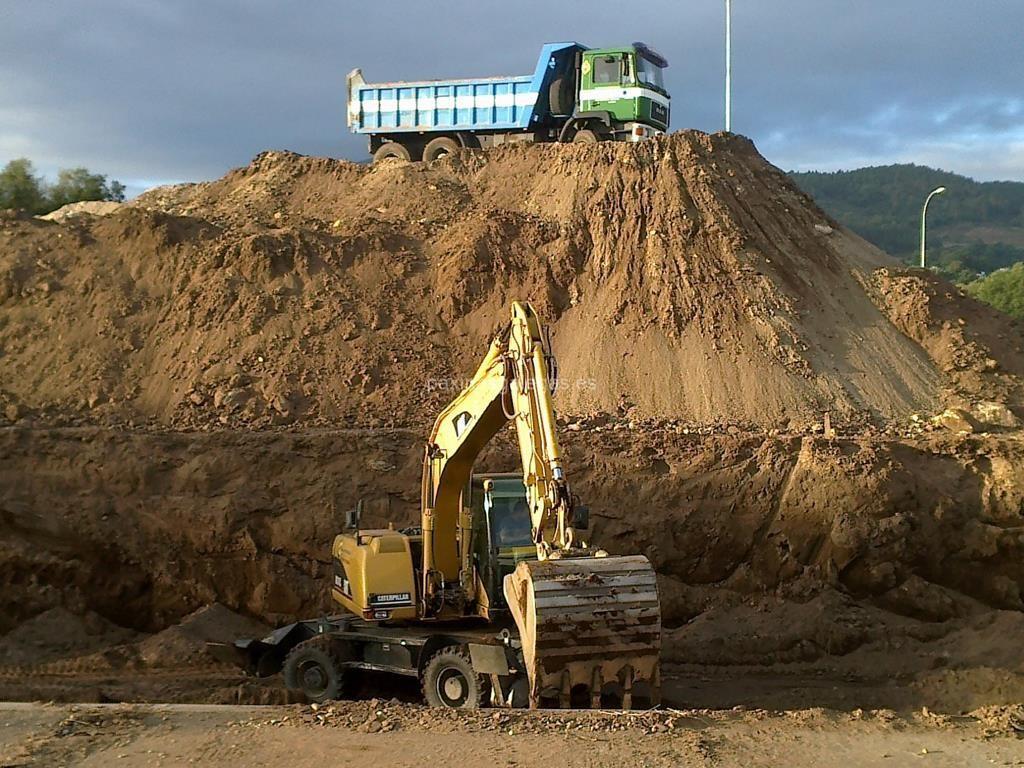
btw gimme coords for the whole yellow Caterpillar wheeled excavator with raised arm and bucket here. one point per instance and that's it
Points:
(496, 599)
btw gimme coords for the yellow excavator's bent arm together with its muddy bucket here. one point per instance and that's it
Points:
(589, 623)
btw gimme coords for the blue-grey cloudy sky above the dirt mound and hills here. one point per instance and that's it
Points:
(151, 92)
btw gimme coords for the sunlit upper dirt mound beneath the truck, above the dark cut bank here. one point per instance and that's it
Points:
(685, 279)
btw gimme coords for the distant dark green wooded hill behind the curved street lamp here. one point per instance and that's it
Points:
(975, 228)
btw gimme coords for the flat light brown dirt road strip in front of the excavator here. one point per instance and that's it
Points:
(406, 736)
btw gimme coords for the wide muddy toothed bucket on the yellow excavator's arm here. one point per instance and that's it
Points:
(591, 630)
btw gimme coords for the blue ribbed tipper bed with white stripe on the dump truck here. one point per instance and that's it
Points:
(491, 104)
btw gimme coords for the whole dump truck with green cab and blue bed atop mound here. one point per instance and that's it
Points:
(576, 94)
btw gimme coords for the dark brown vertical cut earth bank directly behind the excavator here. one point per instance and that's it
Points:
(146, 528)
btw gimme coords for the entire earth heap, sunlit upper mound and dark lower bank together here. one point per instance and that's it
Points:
(706, 316)
